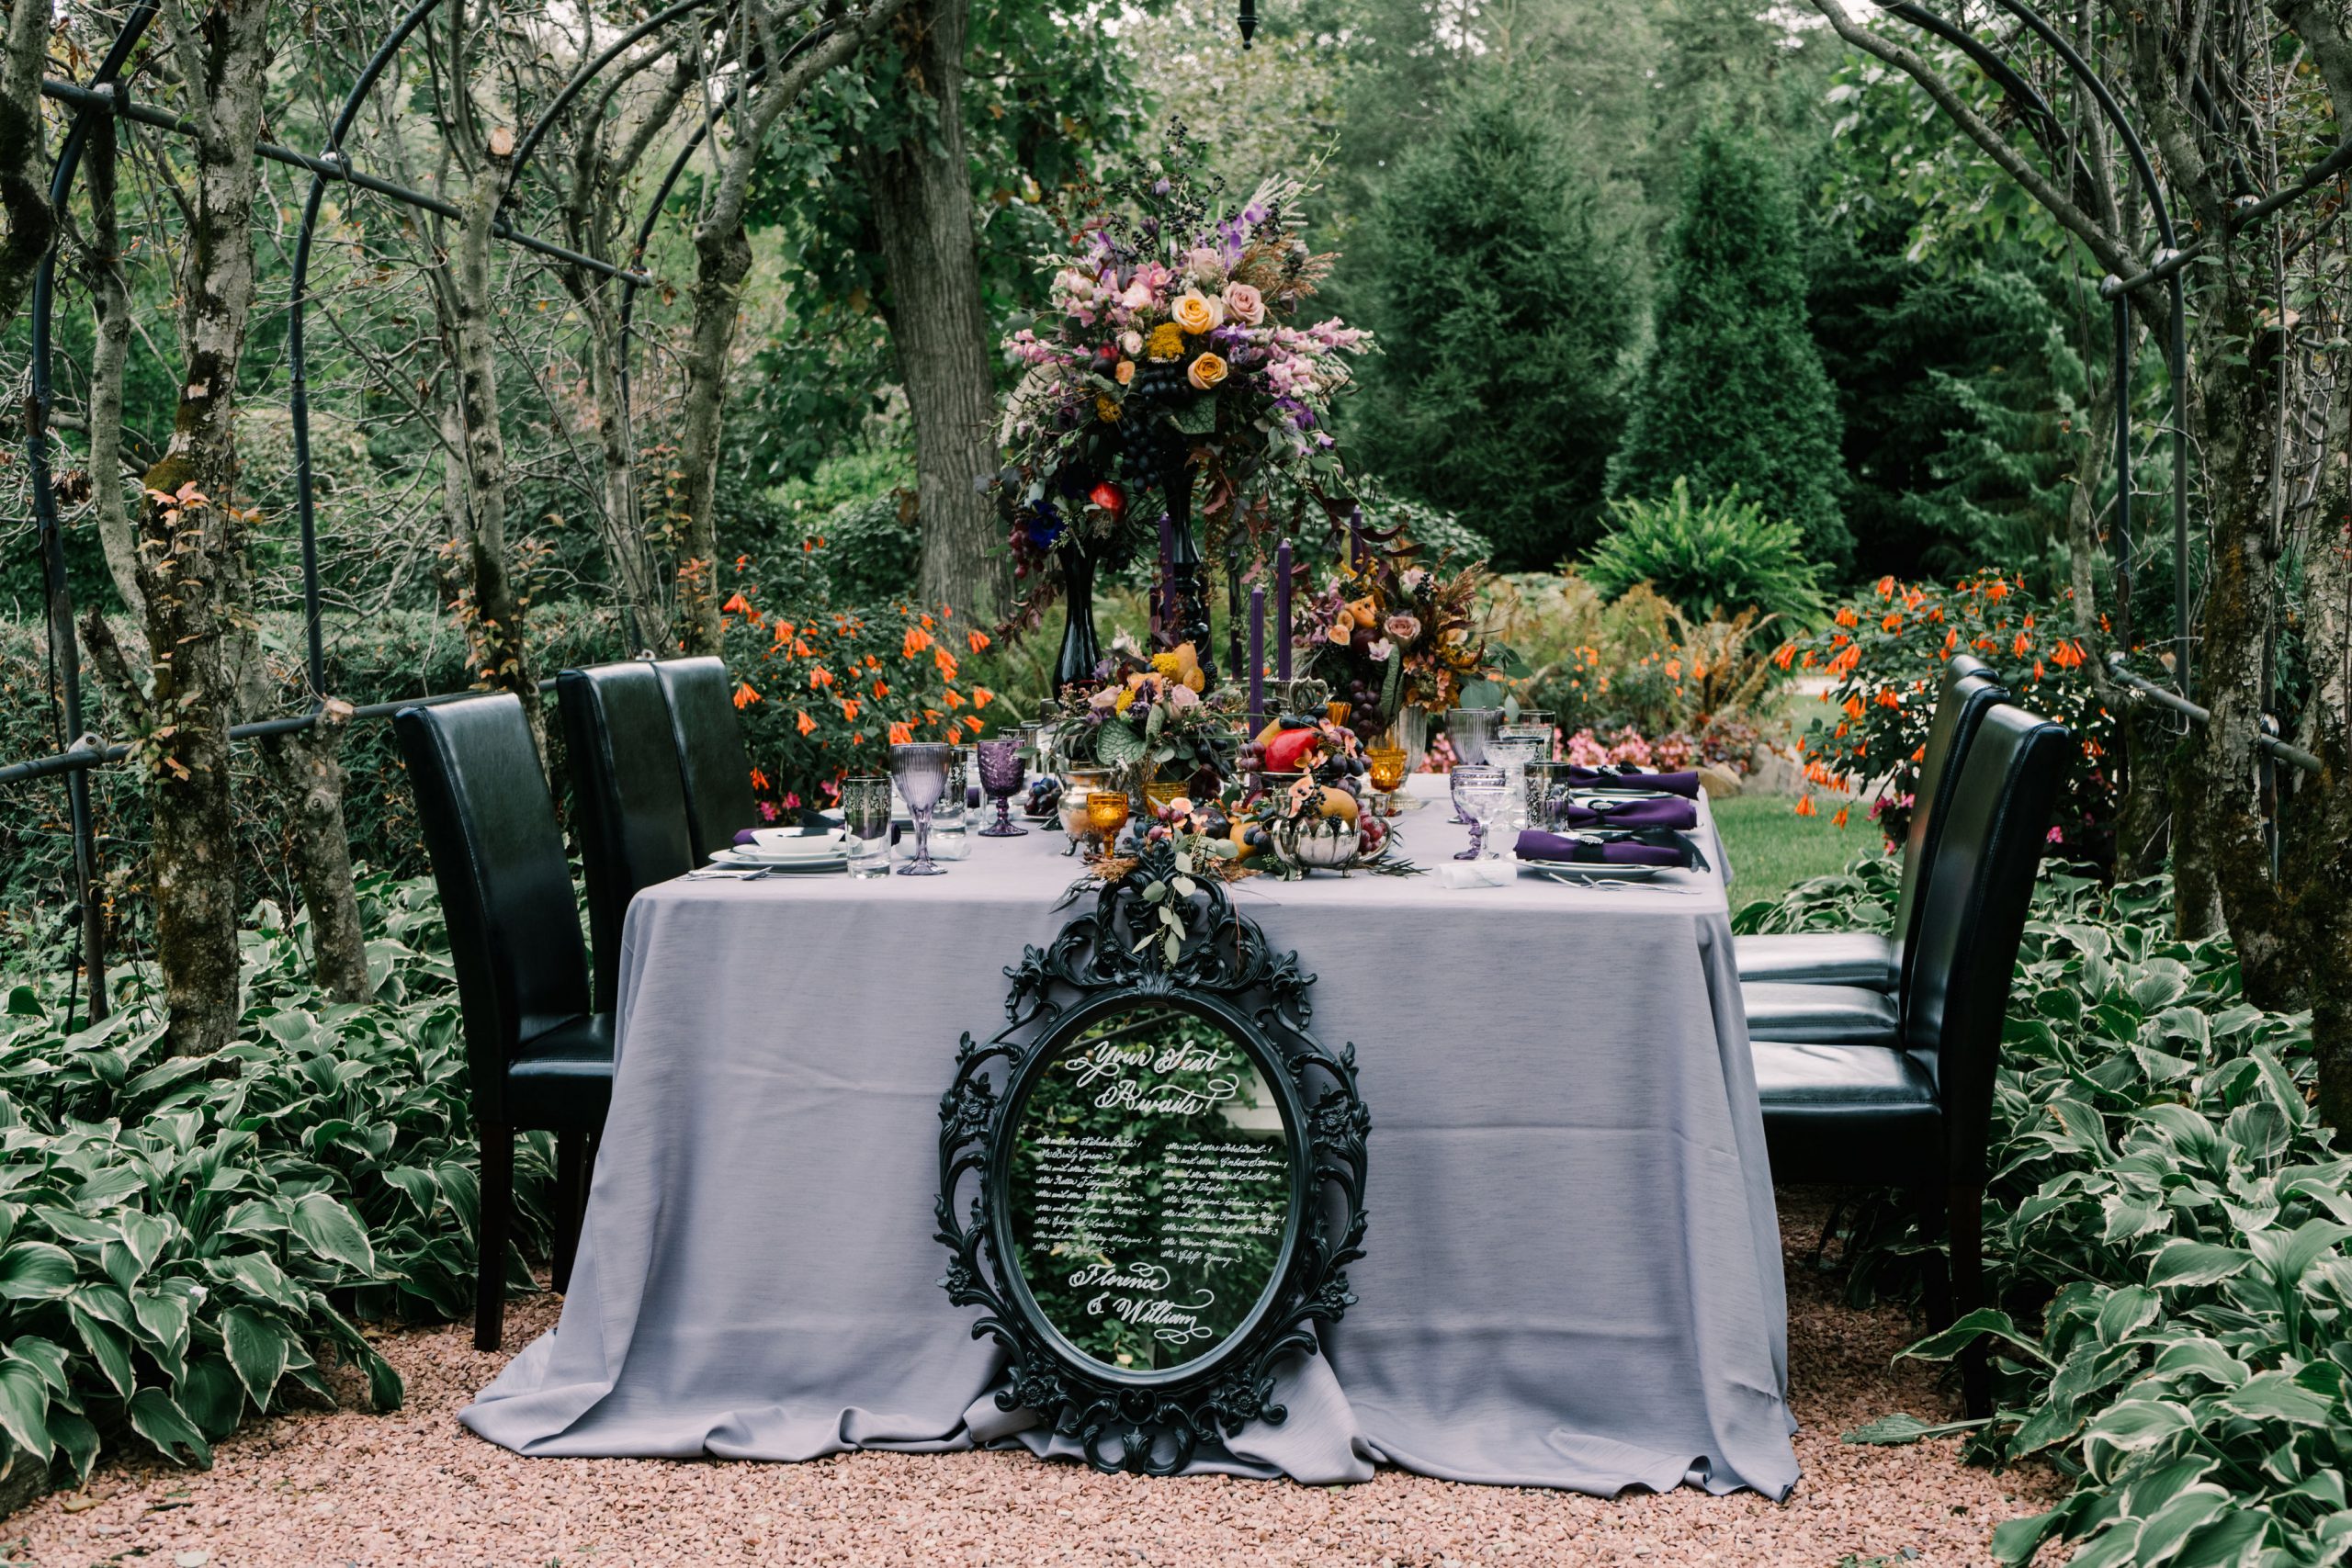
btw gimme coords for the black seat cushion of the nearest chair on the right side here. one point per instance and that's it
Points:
(1847, 1115)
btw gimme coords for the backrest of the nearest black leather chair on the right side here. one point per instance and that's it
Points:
(1975, 913)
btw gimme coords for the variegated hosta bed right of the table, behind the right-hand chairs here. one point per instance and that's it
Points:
(2165, 1238)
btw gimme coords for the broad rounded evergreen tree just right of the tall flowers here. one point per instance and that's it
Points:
(1502, 286)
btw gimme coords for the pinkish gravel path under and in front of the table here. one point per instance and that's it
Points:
(420, 1492)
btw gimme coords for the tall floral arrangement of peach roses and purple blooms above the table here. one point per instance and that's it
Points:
(1177, 340)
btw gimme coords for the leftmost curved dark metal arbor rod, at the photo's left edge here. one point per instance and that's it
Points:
(53, 542)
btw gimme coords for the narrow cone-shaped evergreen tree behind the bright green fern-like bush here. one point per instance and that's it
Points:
(1735, 394)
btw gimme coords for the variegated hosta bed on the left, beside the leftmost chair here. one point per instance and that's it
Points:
(185, 1238)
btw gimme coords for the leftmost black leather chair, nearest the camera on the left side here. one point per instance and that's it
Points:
(537, 1057)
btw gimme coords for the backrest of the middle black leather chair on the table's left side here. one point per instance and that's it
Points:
(629, 800)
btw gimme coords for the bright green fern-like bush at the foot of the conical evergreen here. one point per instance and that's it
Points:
(1720, 556)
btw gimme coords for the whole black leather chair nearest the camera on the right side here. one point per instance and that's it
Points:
(1920, 1113)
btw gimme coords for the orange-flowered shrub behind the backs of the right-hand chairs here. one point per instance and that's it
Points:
(1887, 655)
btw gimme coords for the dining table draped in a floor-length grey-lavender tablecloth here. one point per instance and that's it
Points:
(1572, 1268)
